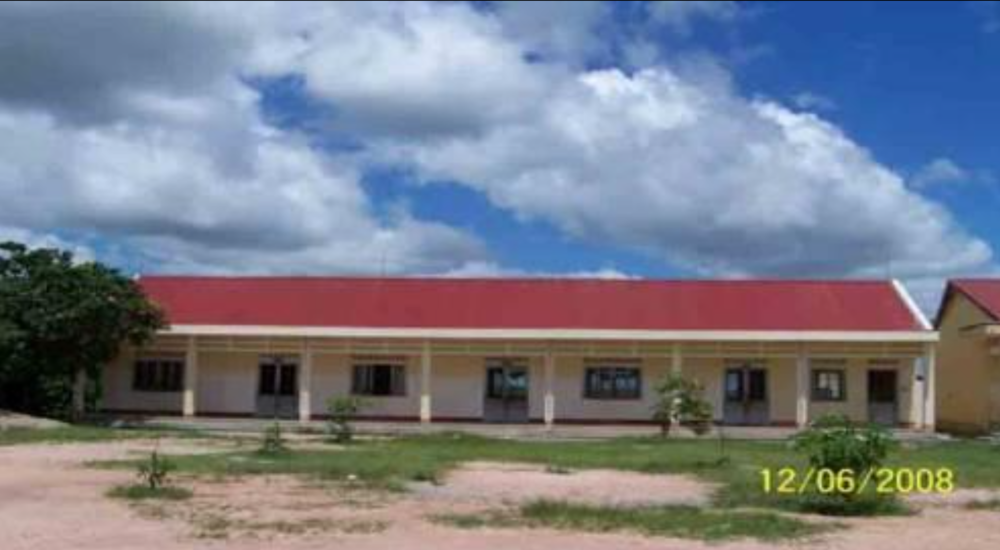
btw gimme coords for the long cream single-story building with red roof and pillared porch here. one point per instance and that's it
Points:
(775, 352)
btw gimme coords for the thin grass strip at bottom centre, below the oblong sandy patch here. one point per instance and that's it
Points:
(673, 521)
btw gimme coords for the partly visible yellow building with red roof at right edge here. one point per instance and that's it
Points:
(969, 324)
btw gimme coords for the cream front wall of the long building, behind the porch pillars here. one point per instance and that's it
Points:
(227, 384)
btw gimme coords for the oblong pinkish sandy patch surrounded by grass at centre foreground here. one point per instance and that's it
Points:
(502, 483)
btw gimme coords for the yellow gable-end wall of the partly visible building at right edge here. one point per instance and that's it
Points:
(963, 374)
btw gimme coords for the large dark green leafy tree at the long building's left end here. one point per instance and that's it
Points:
(59, 318)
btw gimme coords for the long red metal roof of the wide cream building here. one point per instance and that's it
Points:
(533, 303)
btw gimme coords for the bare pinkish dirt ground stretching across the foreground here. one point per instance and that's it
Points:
(51, 500)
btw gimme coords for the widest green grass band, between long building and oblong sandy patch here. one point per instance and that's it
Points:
(392, 463)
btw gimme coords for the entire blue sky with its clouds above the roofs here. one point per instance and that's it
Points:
(646, 139)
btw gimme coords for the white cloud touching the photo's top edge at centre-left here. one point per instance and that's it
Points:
(411, 69)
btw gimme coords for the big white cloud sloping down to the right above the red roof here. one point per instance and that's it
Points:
(683, 168)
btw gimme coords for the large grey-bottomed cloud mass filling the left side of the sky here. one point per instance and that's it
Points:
(134, 125)
